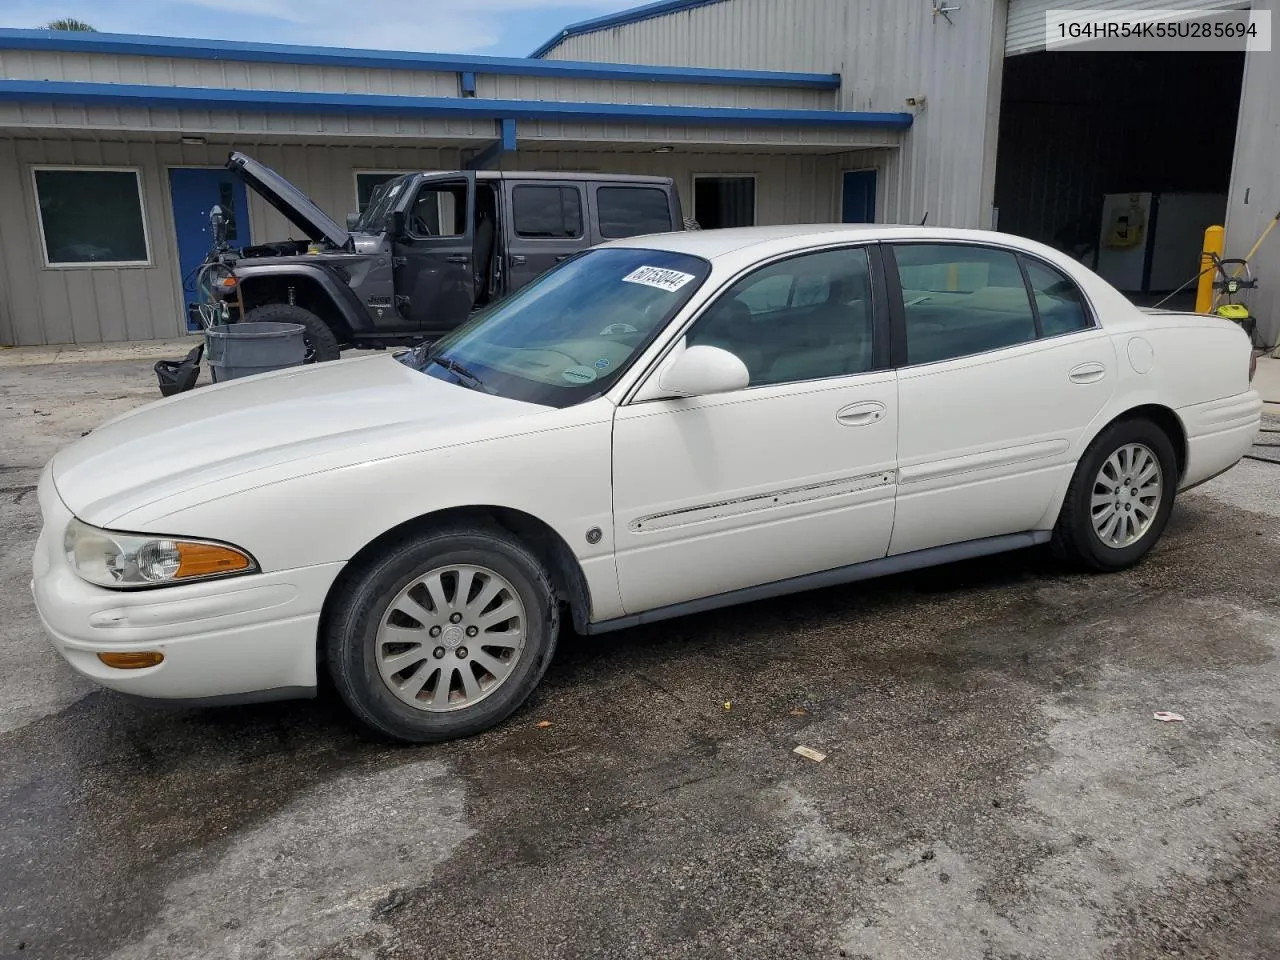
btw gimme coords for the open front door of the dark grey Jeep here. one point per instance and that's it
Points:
(433, 253)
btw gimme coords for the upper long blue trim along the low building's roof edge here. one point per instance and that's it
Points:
(130, 45)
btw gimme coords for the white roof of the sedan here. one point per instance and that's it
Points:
(767, 241)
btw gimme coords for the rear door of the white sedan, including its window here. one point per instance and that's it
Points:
(996, 390)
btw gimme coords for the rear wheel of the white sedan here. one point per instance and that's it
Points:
(1078, 538)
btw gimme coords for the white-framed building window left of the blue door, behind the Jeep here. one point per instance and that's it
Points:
(92, 217)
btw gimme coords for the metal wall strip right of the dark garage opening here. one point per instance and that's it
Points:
(1255, 196)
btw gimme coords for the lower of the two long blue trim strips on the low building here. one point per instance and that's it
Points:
(465, 108)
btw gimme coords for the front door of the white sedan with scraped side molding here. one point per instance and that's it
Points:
(794, 474)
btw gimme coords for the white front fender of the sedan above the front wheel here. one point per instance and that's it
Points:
(560, 476)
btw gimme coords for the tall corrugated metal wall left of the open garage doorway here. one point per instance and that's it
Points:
(886, 52)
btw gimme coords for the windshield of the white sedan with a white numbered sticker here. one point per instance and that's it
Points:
(570, 335)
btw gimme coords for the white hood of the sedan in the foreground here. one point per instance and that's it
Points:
(216, 441)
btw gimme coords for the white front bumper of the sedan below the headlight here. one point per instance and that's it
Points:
(243, 638)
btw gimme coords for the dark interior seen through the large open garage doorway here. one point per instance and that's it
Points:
(1082, 132)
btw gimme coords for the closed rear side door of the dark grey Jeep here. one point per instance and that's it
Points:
(546, 225)
